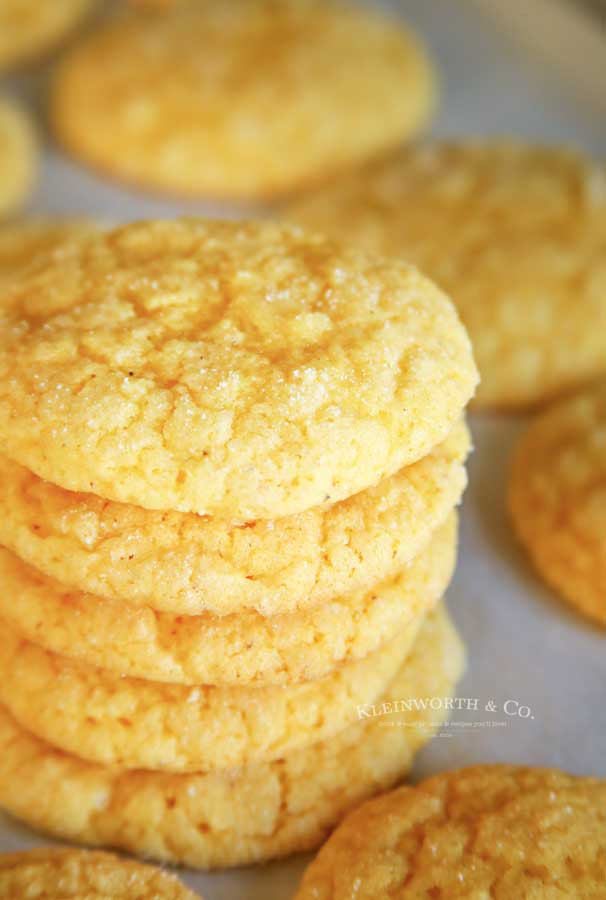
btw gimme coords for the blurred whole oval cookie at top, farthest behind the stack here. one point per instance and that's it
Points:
(244, 99)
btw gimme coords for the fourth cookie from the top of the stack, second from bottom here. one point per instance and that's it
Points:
(131, 723)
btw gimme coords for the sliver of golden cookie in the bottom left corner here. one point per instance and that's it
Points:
(63, 874)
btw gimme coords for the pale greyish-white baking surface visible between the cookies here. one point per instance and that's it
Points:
(524, 645)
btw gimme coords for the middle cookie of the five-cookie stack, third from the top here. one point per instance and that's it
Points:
(244, 648)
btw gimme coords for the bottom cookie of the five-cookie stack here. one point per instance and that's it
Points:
(243, 815)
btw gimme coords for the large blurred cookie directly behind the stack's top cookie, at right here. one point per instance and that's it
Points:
(516, 234)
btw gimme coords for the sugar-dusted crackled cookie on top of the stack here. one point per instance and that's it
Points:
(244, 370)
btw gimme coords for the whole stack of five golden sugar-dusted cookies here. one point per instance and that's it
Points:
(231, 458)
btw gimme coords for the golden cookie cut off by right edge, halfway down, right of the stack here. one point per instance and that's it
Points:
(557, 499)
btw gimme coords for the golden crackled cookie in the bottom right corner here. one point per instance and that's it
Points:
(487, 831)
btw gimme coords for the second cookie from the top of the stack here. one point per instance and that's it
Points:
(183, 563)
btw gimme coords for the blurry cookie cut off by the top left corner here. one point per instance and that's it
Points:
(30, 29)
